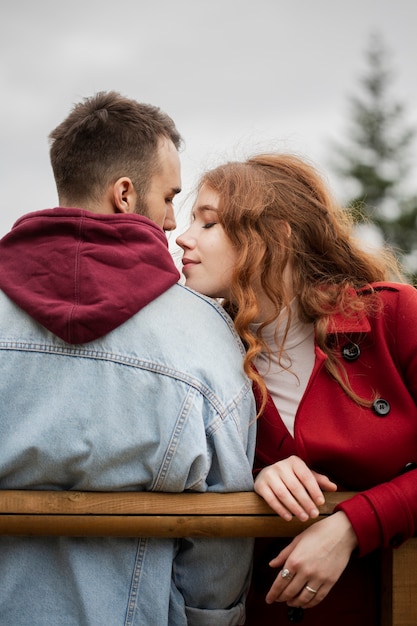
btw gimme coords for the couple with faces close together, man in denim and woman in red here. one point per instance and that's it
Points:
(127, 380)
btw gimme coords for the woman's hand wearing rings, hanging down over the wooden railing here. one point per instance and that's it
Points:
(313, 562)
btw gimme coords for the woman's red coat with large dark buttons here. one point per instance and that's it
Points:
(369, 450)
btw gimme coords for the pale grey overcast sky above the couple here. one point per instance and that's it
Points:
(237, 76)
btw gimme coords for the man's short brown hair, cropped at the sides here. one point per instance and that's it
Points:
(105, 137)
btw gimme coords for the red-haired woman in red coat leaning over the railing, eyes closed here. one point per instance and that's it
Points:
(332, 348)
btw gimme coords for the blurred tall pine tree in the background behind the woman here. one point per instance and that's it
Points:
(376, 159)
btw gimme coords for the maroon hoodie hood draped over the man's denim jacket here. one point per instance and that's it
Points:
(82, 274)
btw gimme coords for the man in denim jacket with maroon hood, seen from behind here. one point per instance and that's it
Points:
(115, 377)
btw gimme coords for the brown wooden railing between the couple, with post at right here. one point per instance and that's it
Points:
(135, 514)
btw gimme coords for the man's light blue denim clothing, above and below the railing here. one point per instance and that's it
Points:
(159, 404)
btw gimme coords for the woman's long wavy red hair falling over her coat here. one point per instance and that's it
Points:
(278, 212)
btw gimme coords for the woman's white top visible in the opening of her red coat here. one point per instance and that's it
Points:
(287, 386)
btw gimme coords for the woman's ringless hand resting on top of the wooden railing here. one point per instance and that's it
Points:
(291, 488)
